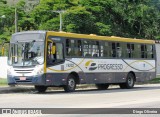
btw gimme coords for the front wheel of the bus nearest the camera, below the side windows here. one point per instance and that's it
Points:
(71, 84)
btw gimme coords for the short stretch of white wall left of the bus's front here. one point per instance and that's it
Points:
(3, 67)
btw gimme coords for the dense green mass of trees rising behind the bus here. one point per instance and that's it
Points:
(125, 18)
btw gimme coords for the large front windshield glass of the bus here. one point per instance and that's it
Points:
(26, 53)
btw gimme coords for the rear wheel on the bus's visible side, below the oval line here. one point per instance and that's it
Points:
(130, 81)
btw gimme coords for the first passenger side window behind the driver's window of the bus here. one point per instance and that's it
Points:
(73, 47)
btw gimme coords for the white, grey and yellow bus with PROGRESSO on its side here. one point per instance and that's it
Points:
(47, 58)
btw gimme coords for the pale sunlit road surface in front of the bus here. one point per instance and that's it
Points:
(142, 96)
